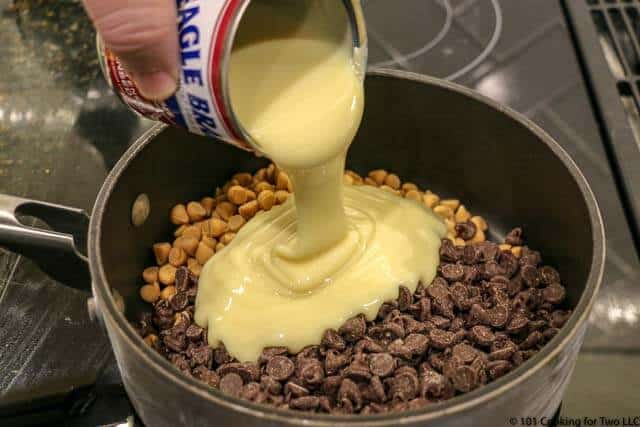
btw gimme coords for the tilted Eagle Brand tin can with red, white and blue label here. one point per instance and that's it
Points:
(202, 105)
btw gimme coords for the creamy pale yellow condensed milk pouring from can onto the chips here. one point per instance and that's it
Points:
(331, 251)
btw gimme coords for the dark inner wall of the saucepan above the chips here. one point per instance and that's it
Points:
(443, 140)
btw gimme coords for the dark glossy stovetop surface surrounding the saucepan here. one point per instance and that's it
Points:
(61, 130)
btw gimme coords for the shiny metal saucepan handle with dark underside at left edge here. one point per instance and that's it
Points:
(60, 250)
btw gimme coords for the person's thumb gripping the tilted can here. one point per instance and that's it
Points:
(143, 34)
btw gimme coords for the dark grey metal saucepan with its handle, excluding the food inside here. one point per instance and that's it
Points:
(437, 134)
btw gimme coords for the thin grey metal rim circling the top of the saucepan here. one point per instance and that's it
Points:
(109, 307)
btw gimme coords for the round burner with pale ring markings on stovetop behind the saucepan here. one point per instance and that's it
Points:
(429, 39)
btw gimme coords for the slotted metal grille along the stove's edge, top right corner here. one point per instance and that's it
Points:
(606, 34)
